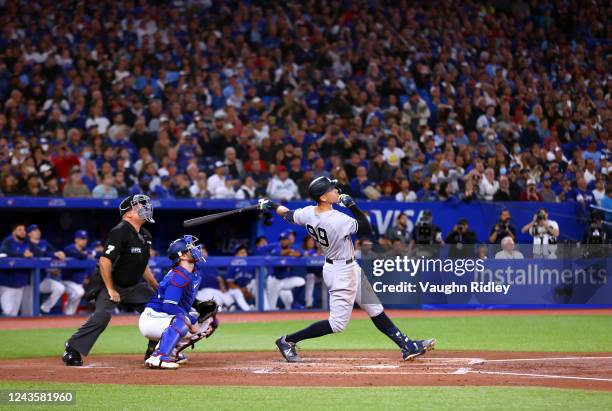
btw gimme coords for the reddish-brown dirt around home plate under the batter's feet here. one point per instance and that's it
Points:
(338, 369)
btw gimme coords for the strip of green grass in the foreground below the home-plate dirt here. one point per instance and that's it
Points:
(107, 397)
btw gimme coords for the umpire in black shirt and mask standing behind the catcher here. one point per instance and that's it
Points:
(123, 263)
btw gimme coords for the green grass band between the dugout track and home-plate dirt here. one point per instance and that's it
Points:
(516, 333)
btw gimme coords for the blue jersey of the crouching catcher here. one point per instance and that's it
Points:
(178, 289)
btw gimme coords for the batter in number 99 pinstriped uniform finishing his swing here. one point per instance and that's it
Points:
(342, 275)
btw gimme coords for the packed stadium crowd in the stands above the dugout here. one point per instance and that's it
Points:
(426, 101)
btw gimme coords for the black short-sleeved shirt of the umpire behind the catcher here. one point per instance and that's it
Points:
(129, 252)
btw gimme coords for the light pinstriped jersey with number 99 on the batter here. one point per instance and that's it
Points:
(332, 230)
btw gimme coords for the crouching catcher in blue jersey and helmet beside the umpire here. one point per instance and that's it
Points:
(174, 320)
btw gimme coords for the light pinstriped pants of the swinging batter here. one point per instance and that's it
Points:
(347, 285)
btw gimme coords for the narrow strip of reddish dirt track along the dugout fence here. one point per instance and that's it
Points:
(242, 317)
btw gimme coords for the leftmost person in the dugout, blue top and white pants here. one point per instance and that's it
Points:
(13, 282)
